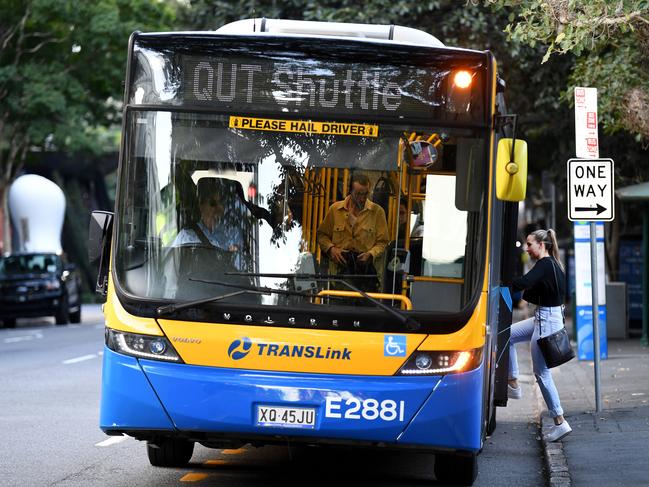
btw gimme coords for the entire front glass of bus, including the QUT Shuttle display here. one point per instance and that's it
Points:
(230, 170)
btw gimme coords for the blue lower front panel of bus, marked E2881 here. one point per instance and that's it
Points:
(433, 412)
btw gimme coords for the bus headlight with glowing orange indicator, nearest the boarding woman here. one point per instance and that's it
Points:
(441, 363)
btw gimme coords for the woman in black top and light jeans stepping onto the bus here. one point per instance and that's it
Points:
(545, 286)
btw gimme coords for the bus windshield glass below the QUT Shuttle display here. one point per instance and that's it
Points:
(207, 202)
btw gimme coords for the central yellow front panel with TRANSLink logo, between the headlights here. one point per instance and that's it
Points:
(358, 352)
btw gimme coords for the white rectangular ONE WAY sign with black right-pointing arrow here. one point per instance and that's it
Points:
(590, 190)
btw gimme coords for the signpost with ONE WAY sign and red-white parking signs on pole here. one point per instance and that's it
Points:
(590, 198)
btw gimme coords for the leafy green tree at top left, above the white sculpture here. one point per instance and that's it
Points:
(62, 64)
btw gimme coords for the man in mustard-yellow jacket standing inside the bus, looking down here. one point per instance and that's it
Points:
(354, 234)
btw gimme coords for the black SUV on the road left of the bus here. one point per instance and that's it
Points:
(39, 284)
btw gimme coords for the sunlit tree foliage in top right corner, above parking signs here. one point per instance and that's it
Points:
(610, 42)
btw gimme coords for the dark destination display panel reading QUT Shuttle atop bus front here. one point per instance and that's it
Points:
(331, 78)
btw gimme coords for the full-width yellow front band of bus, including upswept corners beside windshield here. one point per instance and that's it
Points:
(337, 352)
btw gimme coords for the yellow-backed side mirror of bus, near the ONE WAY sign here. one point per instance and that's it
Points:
(511, 170)
